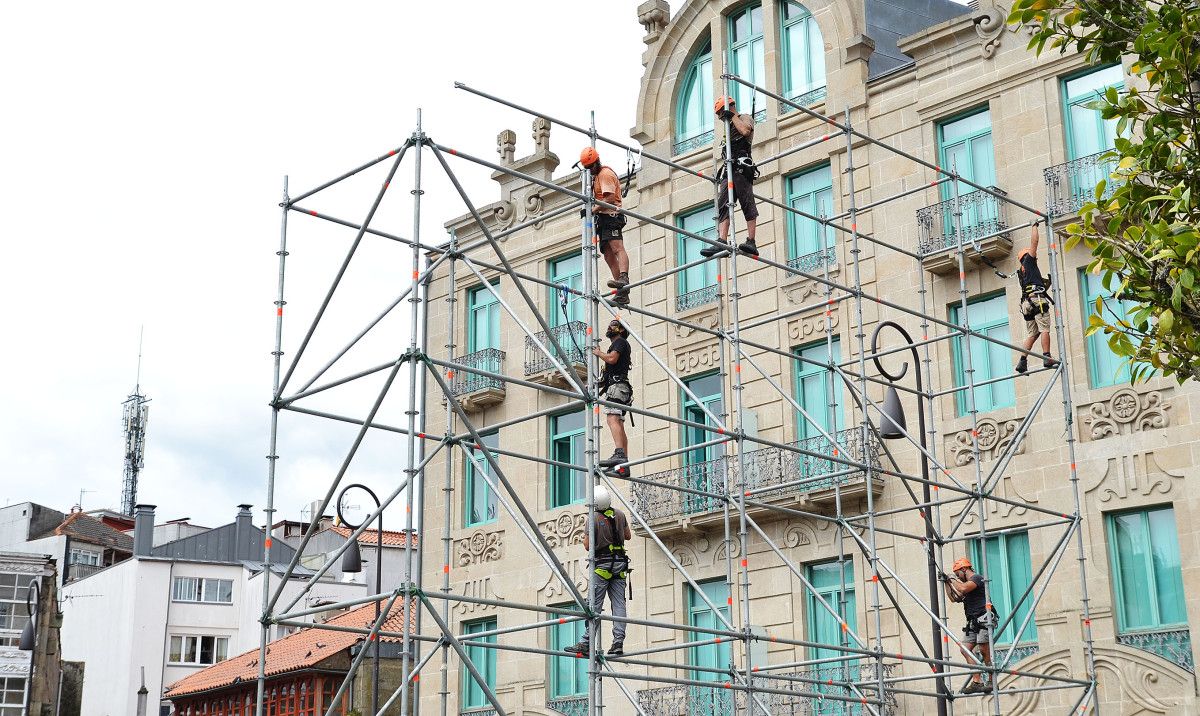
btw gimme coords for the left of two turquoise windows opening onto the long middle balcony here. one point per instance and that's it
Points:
(703, 471)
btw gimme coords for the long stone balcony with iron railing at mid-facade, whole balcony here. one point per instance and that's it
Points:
(805, 482)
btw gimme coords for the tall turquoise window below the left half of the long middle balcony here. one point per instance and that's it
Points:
(703, 700)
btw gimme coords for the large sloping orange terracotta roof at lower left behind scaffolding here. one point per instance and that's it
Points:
(301, 651)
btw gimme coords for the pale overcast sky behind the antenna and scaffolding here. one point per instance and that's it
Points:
(145, 148)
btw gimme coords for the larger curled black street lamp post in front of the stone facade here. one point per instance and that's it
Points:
(891, 429)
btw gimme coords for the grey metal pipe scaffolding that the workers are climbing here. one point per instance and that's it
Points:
(865, 677)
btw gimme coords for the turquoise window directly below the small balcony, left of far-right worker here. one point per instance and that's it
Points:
(987, 316)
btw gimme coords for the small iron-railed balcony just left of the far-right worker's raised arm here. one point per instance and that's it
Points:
(985, 220)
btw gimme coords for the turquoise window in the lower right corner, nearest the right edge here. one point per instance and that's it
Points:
(1151, 585)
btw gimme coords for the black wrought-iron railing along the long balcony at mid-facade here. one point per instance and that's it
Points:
(765, 468)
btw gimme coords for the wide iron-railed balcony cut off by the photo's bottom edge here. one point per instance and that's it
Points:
(695, 701)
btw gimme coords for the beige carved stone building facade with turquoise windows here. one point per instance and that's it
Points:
(957, 88)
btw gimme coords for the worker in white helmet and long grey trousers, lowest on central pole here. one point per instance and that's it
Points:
(610, 574)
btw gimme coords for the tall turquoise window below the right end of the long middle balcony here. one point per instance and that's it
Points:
(836, 585)
